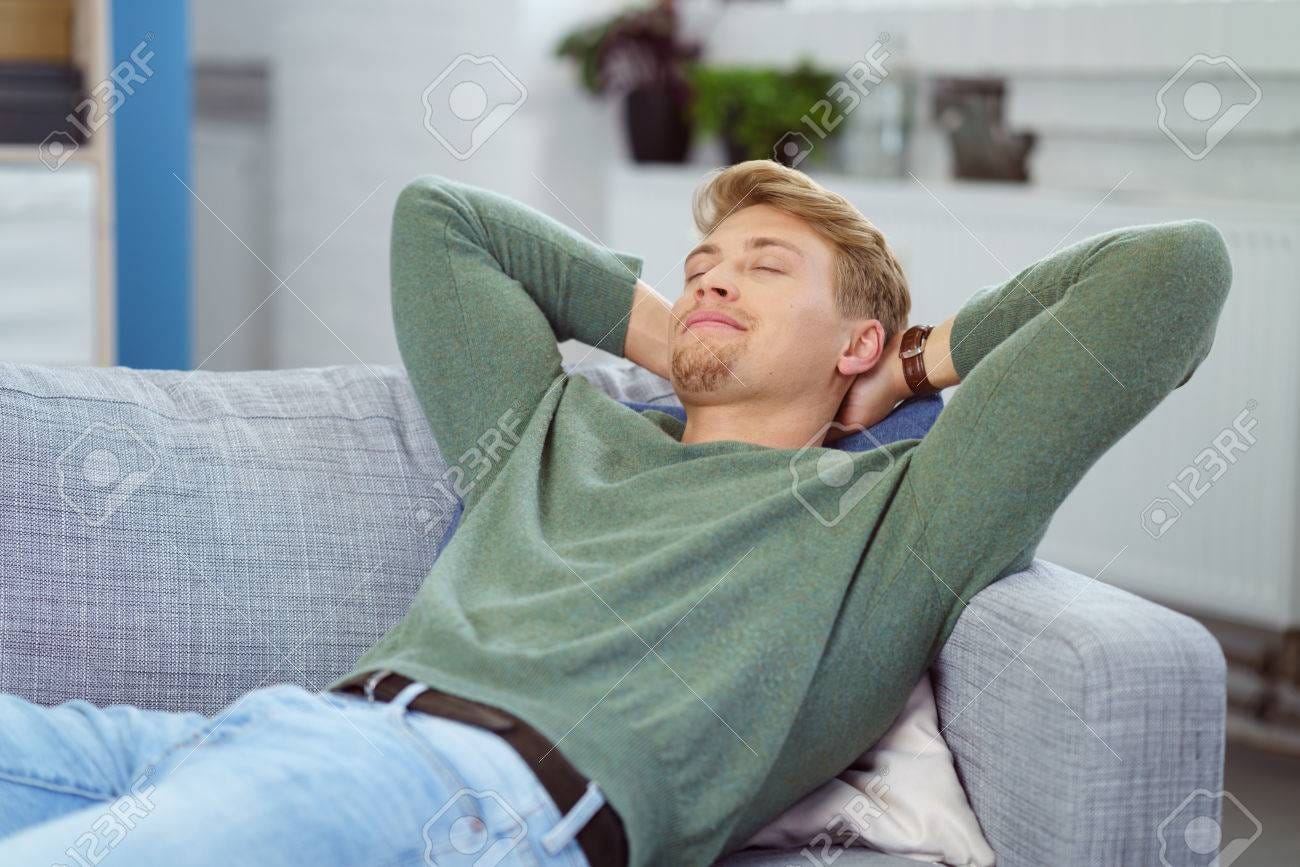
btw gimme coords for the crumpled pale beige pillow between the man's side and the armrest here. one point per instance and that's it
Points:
(891, 799)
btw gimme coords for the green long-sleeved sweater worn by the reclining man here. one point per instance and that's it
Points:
(675, 617)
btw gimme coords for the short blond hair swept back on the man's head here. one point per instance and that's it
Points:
(869, 281)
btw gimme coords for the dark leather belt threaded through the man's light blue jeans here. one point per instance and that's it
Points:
(601, 839)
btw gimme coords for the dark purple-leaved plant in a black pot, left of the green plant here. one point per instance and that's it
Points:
(640, 54)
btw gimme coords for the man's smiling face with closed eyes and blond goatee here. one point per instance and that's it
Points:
(770, 274)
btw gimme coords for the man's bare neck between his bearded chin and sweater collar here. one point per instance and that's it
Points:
(764, 422)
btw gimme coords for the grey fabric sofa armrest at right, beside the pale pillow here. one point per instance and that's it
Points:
(1082, 718)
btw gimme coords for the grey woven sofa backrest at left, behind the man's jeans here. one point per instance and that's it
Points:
(174, 540)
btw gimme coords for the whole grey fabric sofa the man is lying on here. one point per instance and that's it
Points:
(175, 540)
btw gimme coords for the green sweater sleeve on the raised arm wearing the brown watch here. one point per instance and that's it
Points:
(1058, 365)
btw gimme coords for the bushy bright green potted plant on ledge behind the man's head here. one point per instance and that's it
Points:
(756, 109)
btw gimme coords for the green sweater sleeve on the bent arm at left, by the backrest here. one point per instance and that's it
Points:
(483, 289)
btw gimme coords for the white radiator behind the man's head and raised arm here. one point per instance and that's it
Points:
(1224, 541)
